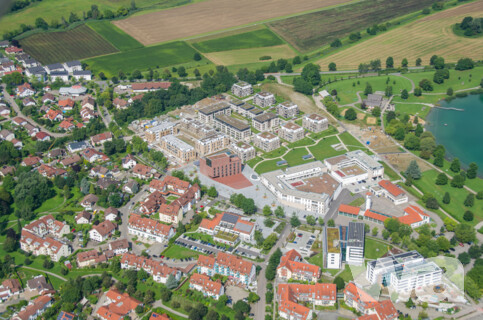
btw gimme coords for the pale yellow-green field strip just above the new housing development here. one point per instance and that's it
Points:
(253, 55)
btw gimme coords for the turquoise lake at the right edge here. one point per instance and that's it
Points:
(461, 132)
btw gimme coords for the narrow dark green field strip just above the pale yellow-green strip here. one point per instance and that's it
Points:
(252, 39)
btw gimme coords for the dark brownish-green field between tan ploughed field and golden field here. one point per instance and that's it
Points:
(313, 30)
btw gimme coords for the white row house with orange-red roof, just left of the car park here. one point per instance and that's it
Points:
(149, 229)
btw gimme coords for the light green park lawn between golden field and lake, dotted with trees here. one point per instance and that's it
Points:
(347, 89)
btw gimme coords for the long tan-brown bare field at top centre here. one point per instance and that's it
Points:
(211, 15)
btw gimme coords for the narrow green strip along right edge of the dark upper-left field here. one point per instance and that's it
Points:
(114, 35)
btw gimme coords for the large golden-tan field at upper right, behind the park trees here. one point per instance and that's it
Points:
(419, 39)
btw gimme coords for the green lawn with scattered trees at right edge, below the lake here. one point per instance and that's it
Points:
(456, 207)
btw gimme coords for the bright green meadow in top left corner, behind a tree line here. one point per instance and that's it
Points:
(55, 9)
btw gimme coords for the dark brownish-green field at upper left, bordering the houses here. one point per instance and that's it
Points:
(78, 43)
